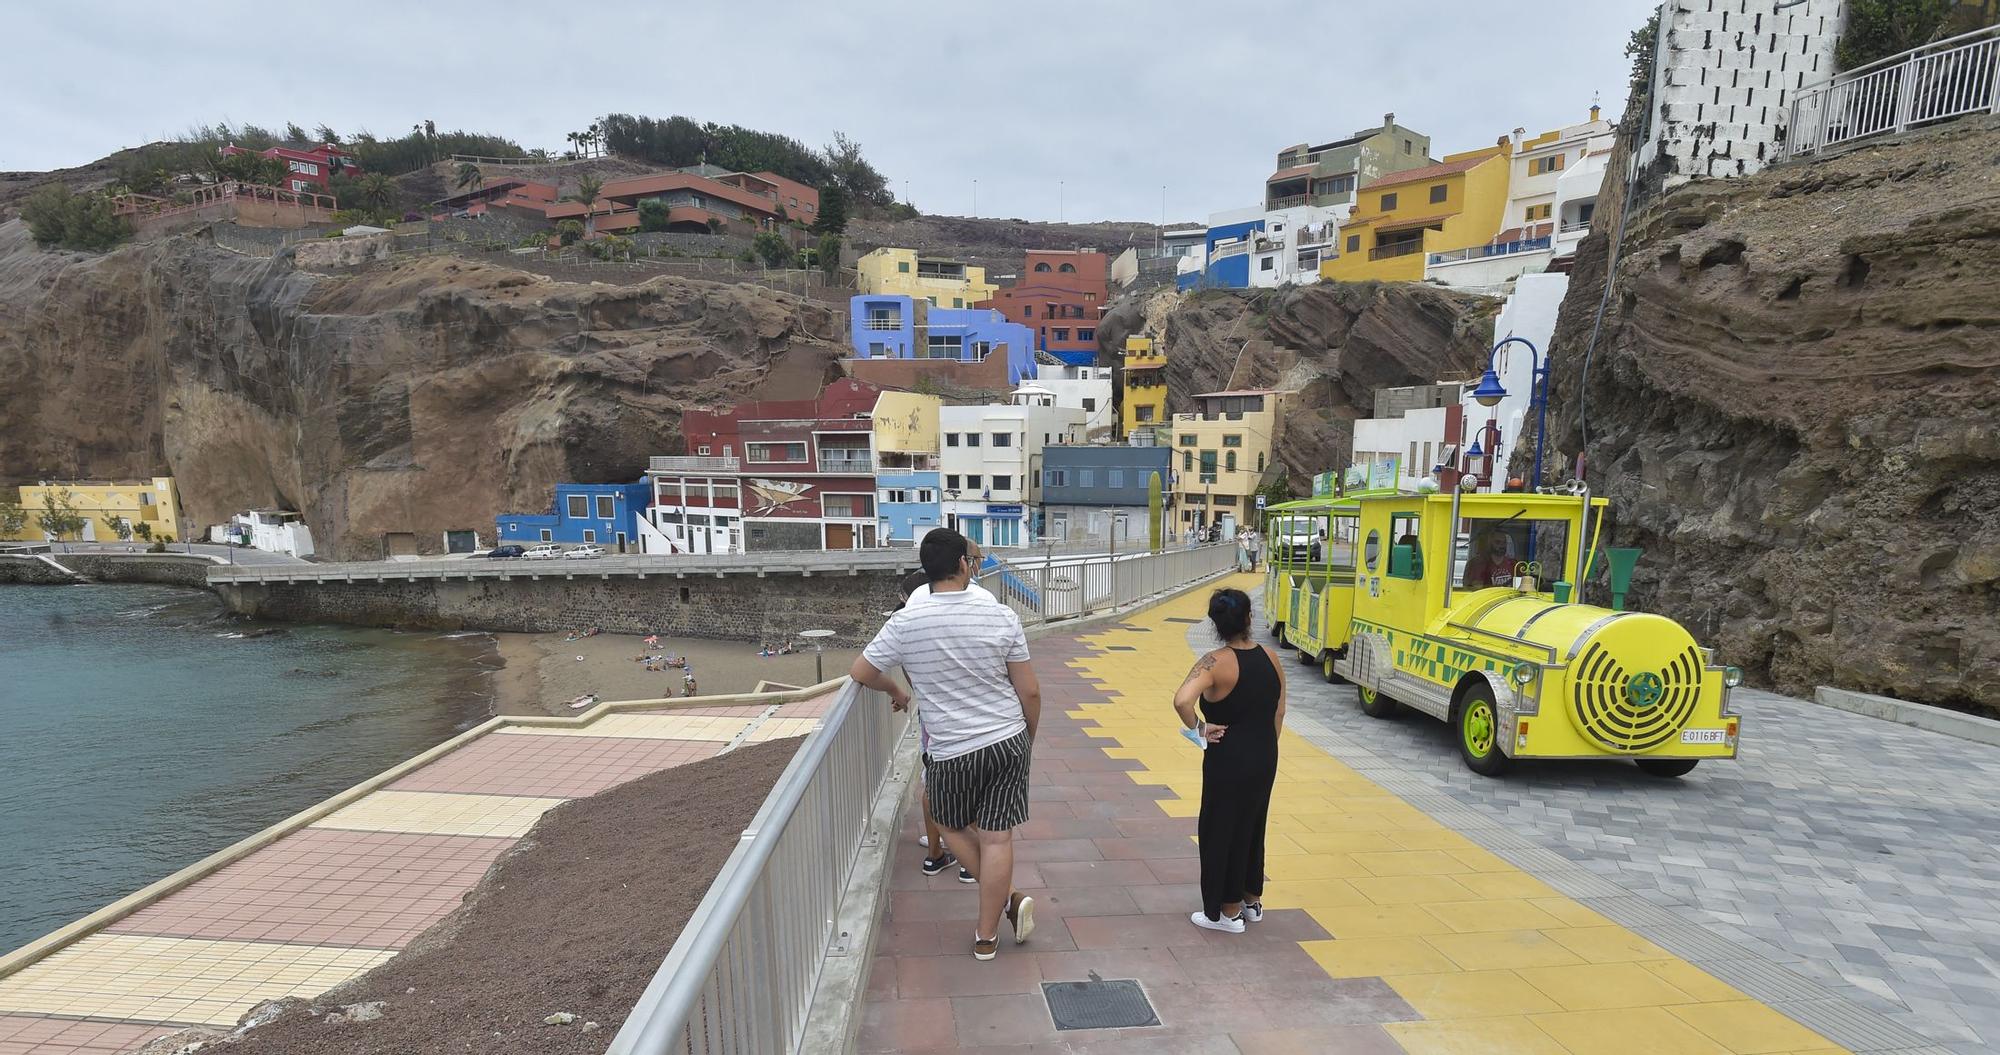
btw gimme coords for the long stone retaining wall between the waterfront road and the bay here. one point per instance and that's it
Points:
(745, 608)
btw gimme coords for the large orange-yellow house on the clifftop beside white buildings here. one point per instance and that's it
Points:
(1405, 217)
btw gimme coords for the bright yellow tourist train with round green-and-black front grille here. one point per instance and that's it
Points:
(1465, 606)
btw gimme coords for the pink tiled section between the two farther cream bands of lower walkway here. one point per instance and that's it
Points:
(565, 768)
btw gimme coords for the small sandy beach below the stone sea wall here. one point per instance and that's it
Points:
(543, 672)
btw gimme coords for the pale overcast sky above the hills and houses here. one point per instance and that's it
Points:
(1075, 109)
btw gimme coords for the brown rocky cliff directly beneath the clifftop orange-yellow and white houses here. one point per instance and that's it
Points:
(1333, 343)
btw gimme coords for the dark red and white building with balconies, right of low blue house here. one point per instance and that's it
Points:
(777, 475)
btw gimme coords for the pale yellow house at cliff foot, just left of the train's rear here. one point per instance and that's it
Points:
(1221, 455)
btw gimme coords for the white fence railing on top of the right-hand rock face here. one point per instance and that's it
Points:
(1925, 85)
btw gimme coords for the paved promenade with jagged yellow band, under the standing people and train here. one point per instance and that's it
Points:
(1423, 910)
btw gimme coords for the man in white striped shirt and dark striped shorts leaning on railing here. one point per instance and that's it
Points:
(969, 658)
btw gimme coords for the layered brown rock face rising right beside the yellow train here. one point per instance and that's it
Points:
(1795, 409)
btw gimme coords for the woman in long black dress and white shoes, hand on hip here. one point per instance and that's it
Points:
(1241, 692)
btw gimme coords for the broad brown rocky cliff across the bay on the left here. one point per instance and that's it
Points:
(409, 399)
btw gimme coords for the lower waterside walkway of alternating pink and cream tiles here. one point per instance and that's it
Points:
(347, 892)
